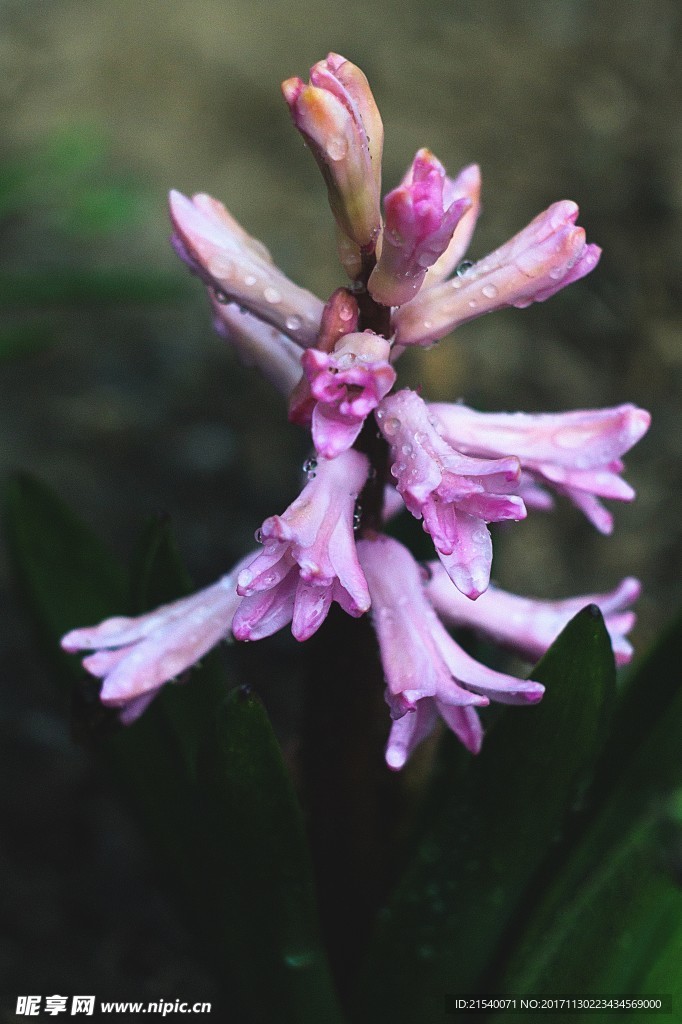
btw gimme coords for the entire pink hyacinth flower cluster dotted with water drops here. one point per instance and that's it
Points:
(377, 449)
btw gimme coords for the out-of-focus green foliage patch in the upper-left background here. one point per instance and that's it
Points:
(67, 219)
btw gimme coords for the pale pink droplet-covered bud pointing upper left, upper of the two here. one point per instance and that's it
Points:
(239, 269)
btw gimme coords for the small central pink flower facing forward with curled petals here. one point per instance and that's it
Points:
(348, 385)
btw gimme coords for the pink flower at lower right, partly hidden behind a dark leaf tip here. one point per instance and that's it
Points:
(530, 626)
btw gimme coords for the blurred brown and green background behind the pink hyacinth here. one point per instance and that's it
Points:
(115, 393)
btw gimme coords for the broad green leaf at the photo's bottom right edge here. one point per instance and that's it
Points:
(610, 915)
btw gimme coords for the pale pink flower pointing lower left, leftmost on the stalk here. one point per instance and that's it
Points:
(136, 657)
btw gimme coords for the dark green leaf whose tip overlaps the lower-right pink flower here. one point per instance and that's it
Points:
(474, 875)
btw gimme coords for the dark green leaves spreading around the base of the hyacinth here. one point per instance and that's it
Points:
(553, 866)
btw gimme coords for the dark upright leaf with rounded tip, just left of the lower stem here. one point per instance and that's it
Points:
(266, 895)
